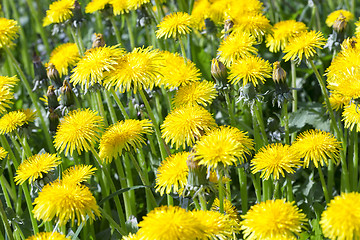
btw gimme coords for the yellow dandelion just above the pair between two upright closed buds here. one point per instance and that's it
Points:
(253, 23)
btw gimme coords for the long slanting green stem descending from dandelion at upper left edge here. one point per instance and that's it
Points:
(33, 98)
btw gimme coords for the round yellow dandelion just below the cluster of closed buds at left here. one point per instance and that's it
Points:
(79, 130)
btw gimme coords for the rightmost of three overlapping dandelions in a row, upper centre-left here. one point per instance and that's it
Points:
(175, 72)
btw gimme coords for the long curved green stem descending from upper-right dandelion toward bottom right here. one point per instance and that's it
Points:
(338, 131)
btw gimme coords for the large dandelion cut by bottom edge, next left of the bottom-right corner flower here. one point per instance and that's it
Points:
(273, 219)
